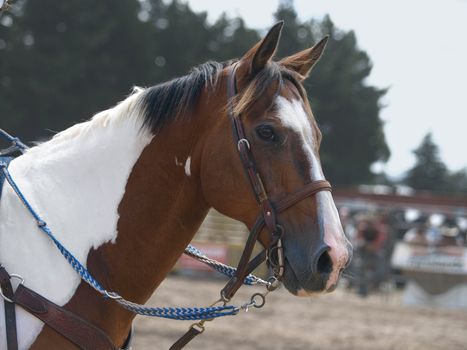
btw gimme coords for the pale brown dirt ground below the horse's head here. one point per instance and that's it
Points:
(338, 321)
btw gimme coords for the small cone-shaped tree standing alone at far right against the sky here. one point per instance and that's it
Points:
(429, 171)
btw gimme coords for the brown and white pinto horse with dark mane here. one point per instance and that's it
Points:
(126, 191)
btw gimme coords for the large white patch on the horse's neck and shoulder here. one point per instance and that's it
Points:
(75, 182)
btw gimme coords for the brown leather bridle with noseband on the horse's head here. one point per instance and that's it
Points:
(268, 217)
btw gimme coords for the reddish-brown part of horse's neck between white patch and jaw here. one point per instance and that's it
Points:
(160, 212)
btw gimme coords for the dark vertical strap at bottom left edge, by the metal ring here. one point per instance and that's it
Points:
(10, 314)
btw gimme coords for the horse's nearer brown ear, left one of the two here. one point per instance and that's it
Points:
(258, 56)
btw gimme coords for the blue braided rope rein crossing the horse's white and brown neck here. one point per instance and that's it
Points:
(178, 313)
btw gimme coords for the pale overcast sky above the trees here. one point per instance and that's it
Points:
(419, 51)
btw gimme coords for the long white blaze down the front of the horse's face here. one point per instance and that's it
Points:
(293, 115)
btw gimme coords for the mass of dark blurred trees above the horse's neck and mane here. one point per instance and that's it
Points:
(63, 61)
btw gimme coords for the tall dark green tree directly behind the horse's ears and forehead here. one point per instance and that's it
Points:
(346, 108)
